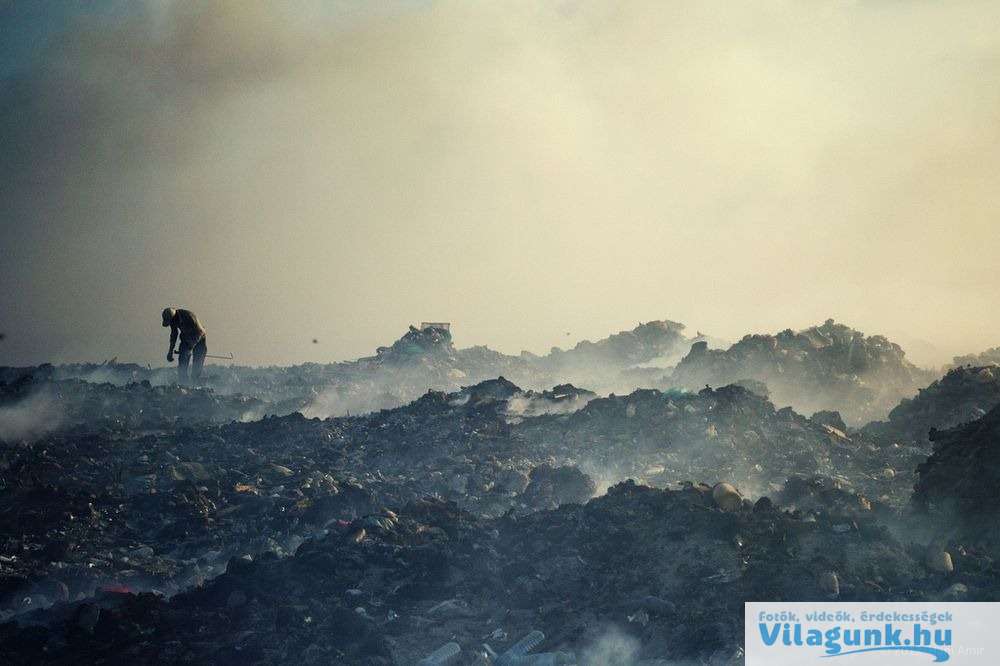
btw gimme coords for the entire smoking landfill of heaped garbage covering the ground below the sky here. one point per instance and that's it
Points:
(489, 519)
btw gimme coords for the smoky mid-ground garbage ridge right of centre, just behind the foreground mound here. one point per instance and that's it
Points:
(728, 433)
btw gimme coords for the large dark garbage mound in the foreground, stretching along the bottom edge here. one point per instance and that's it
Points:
(661, 574)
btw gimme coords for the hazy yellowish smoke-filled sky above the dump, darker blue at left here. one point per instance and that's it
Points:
(521, 169)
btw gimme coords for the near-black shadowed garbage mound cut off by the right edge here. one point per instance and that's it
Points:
(959, 481)
